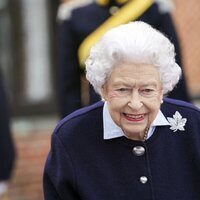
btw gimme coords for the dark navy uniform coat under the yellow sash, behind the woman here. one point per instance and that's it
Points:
(71, 33)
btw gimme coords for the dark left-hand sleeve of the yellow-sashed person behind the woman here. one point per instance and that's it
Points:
(69, 92)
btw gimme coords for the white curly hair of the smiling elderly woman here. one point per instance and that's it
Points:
(135, 42)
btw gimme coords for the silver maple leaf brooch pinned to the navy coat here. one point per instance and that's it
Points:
(177, 122)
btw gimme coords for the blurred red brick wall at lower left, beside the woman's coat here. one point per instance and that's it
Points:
(32, 150)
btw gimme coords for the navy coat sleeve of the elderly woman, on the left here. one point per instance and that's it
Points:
(59, 179)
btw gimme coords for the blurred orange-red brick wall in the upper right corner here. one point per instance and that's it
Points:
(187, 20)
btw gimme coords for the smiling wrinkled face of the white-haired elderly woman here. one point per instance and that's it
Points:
(133, 93)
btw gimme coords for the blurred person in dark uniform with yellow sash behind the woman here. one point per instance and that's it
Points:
(78, 22)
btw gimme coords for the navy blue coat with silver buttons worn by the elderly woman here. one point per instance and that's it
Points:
(83, 166)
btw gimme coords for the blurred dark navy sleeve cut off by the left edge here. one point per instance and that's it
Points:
(7, 153)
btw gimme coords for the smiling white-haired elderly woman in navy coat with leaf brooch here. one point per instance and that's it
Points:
(134, 144)
